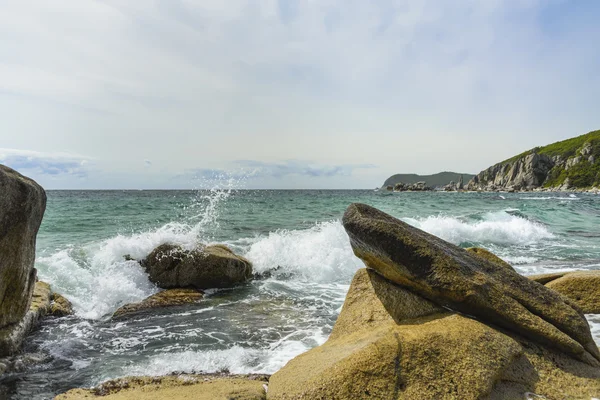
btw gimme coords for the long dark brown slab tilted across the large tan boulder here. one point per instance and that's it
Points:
(454, 278)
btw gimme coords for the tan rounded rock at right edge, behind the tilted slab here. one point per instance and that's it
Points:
(582, 287)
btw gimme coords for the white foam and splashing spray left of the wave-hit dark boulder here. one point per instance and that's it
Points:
(96, 278)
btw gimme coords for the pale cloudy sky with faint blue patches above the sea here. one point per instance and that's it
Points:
(169, 94)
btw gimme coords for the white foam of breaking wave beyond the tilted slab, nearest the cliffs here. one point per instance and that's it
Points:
(499, 228)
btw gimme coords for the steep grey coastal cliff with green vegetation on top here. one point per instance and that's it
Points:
(570, 164)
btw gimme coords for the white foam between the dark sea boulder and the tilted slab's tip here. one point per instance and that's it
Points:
(320, 254)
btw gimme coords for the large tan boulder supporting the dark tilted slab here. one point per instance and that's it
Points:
(390, 343)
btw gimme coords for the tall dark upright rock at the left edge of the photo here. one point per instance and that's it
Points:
(22, 206)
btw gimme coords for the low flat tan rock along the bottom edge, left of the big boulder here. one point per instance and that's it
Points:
(188, 387)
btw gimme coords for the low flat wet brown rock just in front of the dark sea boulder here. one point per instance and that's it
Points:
(166, 298)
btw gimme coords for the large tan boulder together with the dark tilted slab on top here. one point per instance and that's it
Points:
(429, 320)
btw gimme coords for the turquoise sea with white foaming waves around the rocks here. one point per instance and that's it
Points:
(295, 235)
